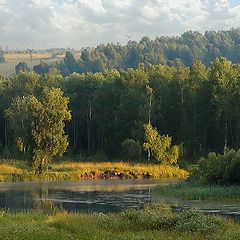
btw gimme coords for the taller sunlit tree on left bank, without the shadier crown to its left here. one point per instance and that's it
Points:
(48, 132)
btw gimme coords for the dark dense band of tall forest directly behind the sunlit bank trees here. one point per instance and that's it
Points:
(197, 106)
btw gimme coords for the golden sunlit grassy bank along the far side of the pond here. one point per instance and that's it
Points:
(19, 171)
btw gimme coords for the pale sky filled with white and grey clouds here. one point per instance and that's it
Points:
(88, 23)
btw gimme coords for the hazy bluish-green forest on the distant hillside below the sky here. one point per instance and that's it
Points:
(171, 51)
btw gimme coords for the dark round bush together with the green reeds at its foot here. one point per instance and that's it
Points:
(216, 177)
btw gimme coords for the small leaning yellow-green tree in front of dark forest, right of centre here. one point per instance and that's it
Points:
(160, 146)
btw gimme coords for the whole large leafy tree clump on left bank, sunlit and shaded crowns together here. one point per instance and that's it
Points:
(39, 126)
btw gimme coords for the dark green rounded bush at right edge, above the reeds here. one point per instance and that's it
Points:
(219, 168)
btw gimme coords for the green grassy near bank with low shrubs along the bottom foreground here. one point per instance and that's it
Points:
(151, 223)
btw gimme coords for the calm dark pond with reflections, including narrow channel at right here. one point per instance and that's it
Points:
(101, 196)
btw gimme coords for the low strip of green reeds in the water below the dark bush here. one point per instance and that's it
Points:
(198, 192)
